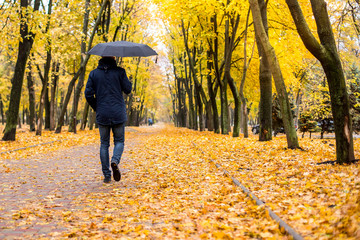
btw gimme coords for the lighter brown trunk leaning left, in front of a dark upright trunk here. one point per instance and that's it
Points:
(269, 52)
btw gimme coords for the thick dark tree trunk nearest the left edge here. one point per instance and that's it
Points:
(25, 46)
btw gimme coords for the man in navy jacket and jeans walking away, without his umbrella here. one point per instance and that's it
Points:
(104, 93)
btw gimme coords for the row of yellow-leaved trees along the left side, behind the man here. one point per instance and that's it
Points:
(52, 40)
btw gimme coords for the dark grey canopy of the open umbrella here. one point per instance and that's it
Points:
(122, 49)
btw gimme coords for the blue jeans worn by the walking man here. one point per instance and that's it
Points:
(119, 138)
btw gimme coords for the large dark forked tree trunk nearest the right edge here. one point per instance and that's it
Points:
(326, 52)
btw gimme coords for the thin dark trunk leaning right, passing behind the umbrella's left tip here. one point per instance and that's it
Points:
(77, 74)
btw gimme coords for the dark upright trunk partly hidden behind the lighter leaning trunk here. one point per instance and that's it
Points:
(265, 79)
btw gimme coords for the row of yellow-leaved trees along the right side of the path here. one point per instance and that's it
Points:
(215, 62)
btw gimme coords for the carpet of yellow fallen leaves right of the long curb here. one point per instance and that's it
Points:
(319, 201)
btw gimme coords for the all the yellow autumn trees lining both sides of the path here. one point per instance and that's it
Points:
(222, 57)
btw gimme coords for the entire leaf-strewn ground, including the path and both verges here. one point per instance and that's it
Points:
(170, 189)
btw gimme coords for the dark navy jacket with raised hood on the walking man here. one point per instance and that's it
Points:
(104, 92)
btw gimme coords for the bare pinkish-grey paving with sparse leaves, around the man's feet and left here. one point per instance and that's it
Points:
(49, 181)
